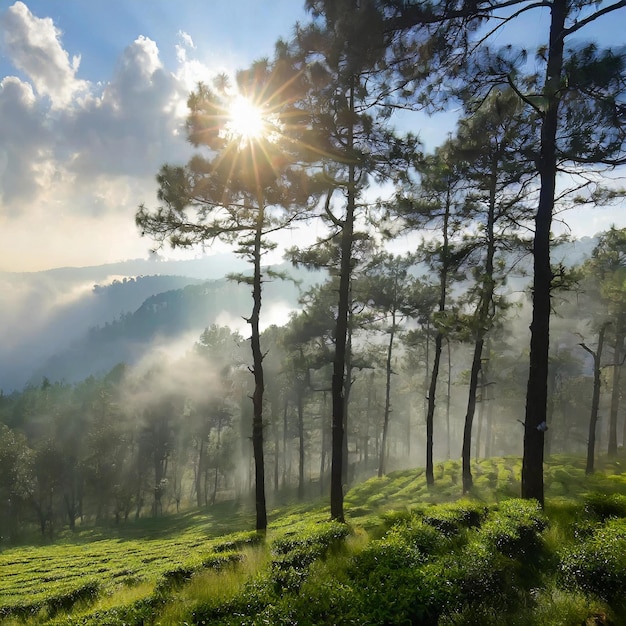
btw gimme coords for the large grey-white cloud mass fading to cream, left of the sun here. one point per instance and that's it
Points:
(77, 157)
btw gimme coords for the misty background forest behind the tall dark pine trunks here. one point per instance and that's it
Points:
(169, 434)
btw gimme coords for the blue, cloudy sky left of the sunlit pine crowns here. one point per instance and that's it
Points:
(92, 103)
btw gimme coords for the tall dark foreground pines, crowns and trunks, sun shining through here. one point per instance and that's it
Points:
(329, 95)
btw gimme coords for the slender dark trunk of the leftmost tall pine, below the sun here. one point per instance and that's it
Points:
(259, 387)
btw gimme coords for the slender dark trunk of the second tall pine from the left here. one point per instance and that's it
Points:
(341, 334)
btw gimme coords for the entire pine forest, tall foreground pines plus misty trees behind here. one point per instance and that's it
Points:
(398, 358)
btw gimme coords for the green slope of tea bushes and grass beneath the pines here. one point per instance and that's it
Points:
(484, 560)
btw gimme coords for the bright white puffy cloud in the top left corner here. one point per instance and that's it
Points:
(34, 46)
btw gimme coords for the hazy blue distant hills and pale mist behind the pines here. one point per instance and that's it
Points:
(68, 323)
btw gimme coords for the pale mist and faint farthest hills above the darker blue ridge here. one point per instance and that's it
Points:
(42, 313)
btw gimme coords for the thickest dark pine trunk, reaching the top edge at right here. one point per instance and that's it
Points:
(537, 389)
